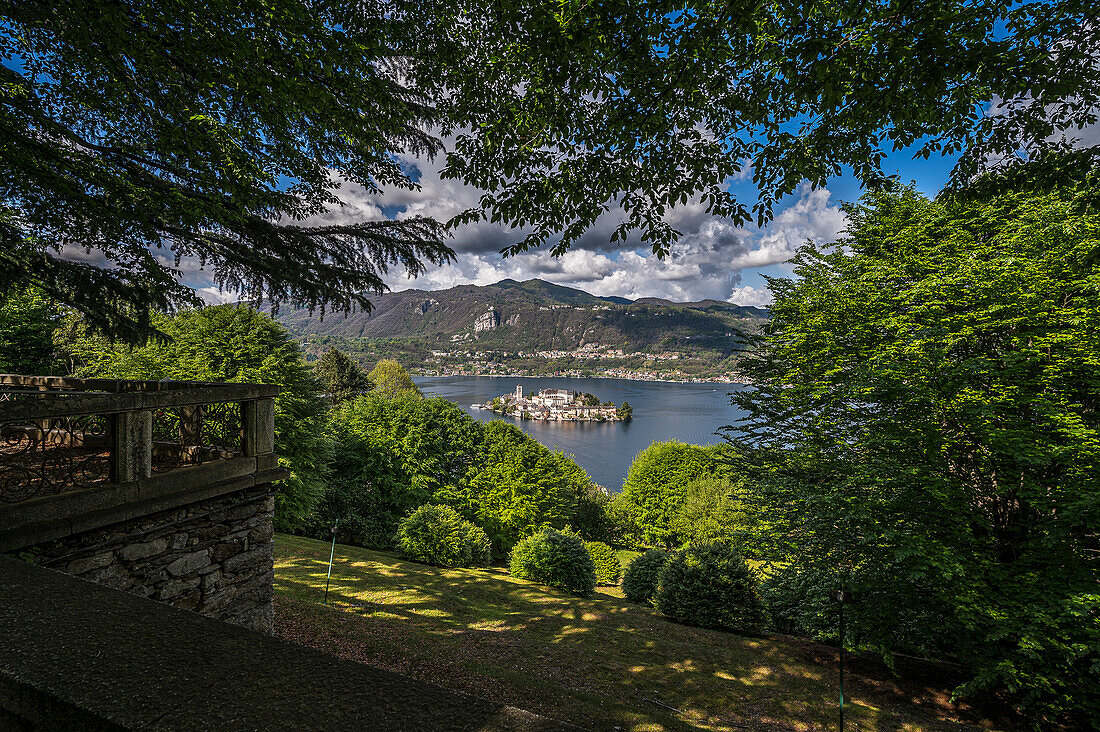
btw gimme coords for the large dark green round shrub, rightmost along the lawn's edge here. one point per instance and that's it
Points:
(712, 587)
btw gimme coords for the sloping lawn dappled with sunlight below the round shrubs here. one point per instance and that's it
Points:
(600, 663)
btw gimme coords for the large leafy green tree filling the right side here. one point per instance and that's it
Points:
(927, 432)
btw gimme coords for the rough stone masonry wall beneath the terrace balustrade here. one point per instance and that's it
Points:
(214, 558)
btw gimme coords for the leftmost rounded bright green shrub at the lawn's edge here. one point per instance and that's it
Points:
(437, 536)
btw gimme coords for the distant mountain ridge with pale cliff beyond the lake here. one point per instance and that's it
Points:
(534, 315)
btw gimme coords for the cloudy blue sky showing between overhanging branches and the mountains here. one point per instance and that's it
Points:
(713, 259)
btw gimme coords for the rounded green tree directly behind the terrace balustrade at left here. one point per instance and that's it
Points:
(235, 344)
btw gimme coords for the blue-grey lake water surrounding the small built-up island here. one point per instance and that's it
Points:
(689, 413)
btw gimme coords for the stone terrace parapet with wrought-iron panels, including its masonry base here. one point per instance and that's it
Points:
(161, 489)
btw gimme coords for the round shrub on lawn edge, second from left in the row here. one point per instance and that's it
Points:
(555, 559)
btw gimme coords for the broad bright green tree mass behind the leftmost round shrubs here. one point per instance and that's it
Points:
(397, 454)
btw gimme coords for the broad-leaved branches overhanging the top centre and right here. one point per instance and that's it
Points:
(687, 96)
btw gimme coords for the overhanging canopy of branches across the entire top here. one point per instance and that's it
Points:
(137, 133)
